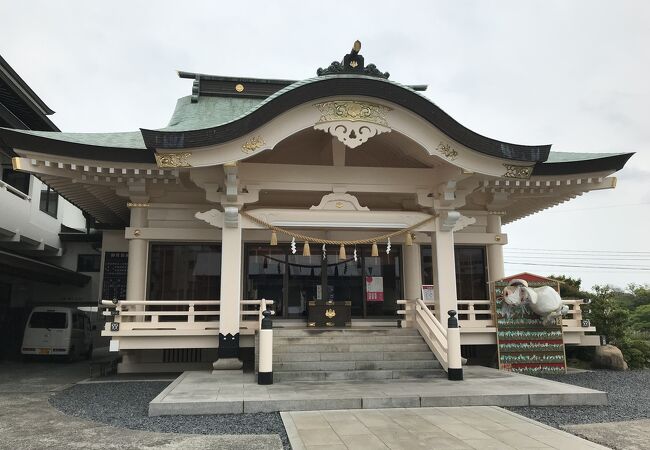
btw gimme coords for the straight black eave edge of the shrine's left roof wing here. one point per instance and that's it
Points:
(16, 139)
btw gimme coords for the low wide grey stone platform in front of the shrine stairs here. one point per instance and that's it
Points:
(235, 393)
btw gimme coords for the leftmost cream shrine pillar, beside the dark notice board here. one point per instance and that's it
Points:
(137, 263)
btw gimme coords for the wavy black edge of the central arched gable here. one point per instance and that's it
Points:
(358, 86)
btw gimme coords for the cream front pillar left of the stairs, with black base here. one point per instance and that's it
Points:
(231, 280)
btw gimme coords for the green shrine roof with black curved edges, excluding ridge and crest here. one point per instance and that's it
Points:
(215, 120)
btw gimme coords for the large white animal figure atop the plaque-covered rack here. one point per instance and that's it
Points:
(543, 301)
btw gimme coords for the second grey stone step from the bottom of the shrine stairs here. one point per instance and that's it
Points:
(287, 366)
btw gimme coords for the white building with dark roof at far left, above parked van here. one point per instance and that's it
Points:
(47, 255)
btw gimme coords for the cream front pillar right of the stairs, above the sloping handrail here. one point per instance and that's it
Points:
(444, 265)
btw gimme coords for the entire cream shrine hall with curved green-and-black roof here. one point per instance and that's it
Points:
(345, 187)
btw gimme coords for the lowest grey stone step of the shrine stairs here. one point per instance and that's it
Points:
(339, 375)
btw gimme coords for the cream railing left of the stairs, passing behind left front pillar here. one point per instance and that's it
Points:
(189, 315)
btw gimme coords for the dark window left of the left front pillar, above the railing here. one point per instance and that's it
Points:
(185, 272)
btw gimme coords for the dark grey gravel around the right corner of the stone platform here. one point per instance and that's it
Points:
(629, 399)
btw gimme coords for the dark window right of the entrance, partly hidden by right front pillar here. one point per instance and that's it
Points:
(471, 271)
